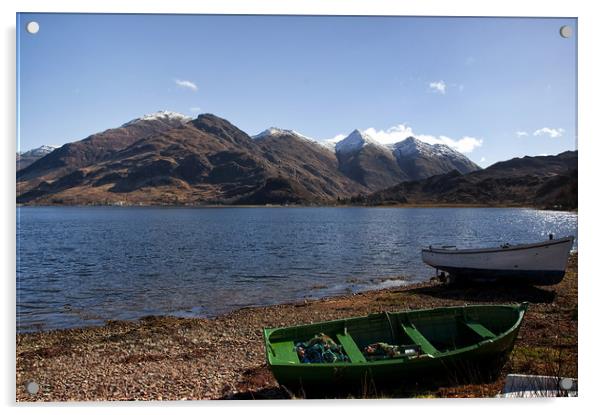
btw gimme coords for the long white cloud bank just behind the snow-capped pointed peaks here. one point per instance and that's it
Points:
(397, 133)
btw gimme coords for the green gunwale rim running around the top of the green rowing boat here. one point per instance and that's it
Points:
(521, 307)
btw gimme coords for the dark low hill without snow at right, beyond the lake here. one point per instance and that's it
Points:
(543, 181)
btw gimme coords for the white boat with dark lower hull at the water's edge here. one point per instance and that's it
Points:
(542, 263)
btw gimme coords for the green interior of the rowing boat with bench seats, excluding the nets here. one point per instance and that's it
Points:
(430, 332)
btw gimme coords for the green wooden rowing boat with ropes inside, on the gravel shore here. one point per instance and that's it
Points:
(389, 347)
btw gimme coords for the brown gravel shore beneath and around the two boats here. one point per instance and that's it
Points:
(167, 358)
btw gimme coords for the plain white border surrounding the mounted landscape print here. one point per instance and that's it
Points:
(590, 34)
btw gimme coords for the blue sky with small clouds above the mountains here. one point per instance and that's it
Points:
(494, 88)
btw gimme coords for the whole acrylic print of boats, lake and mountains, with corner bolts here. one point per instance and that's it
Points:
(286, 206)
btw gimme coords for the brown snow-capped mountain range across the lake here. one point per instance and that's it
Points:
(169, 158)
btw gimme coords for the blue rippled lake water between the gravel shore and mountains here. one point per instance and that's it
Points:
(83, 265)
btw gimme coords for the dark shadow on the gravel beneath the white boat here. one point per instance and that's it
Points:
(490, 292)
